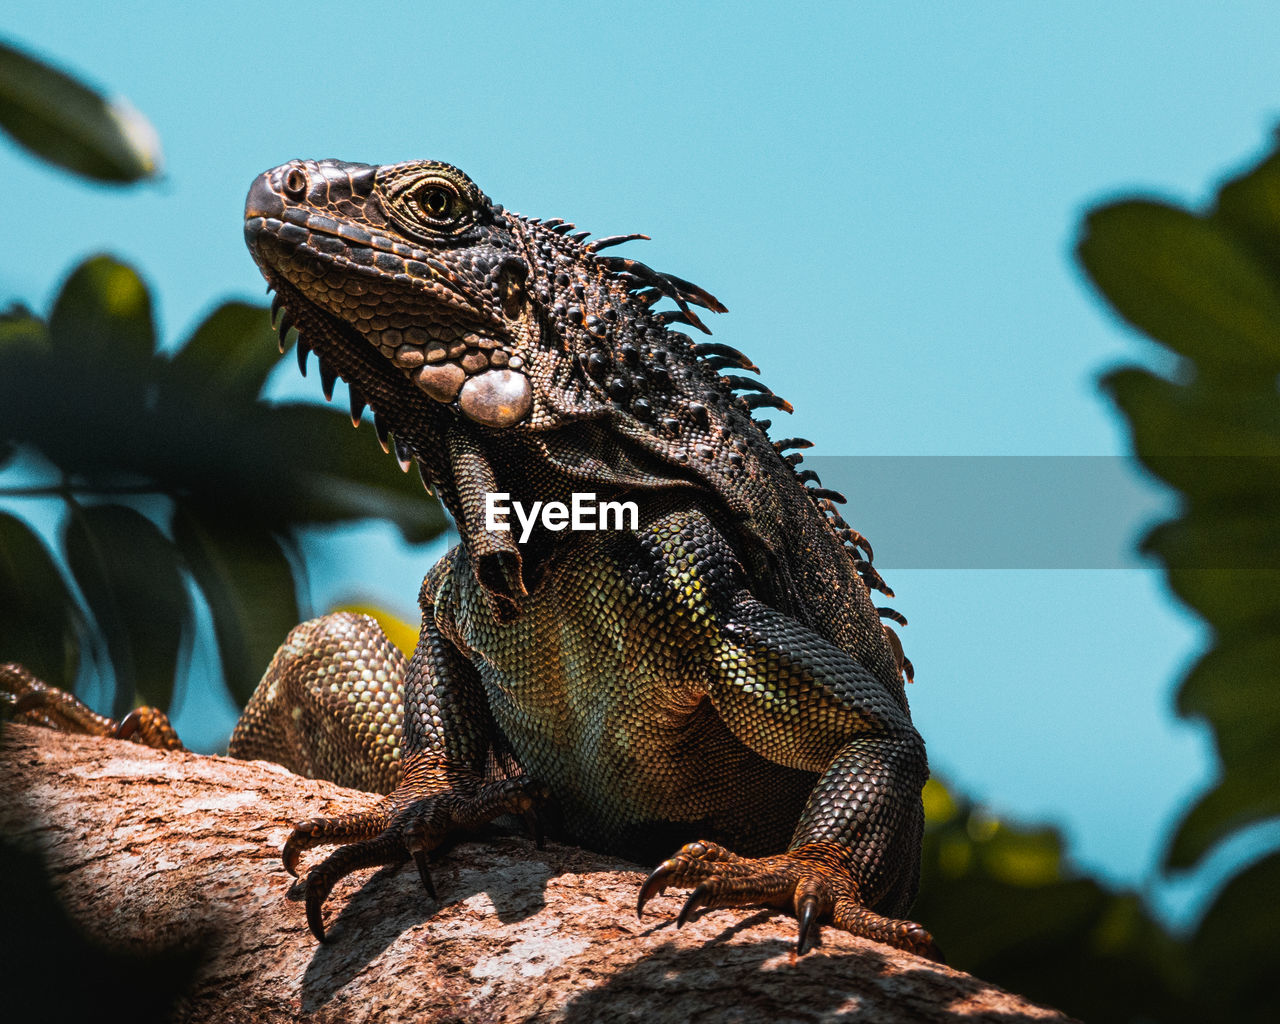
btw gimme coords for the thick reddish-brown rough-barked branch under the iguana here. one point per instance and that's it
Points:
(152, 851)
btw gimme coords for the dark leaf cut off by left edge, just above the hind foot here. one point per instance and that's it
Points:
(40, 623)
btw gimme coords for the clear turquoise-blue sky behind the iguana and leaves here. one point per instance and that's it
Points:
(885, 196)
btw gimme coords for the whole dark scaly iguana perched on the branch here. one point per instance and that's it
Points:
(715, 675)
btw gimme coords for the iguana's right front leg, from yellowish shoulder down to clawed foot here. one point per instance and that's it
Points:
(797, 700)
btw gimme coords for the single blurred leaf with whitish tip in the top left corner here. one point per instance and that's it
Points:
(70, 125)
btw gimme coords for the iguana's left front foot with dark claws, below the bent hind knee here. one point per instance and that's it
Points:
(392, 836)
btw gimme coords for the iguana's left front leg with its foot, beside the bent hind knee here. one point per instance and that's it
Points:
(455, 775)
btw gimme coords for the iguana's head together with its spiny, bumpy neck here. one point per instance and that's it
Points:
(410, 271)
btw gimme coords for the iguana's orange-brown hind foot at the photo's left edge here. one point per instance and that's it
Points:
(29, 701)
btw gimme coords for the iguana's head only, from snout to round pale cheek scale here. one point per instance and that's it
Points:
(414, 264)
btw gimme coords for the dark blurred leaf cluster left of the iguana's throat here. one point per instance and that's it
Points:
(173, 470)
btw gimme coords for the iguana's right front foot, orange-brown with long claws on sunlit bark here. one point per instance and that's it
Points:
(812, 881)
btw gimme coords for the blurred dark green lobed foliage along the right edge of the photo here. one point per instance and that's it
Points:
(1208, 287)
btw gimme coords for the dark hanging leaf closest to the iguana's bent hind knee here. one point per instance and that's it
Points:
(249, 584)
